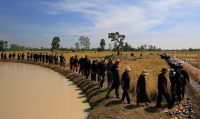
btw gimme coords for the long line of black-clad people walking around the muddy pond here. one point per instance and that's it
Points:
(177, 75)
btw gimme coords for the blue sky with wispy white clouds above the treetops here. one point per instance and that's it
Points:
(167, 24)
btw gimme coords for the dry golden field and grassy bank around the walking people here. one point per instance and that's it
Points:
(112, 107)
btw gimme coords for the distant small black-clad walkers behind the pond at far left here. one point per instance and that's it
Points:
(51, 59)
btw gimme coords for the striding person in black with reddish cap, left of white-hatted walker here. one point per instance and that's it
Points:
(116, 79)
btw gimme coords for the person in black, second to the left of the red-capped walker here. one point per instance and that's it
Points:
(101, 72)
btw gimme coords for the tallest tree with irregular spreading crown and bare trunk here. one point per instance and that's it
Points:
(117, 37)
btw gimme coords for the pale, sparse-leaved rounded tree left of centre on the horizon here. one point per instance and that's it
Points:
(84, 42)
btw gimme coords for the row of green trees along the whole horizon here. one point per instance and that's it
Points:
(83, 44)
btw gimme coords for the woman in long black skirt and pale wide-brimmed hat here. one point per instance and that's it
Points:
(142, 95)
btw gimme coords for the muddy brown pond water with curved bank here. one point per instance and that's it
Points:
(33, 92)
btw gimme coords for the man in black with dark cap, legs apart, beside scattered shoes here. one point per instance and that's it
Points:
(162, 89)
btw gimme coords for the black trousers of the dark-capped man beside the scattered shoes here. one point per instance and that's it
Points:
(159, 99)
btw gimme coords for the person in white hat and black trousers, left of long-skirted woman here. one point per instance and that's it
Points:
(126, 84)
